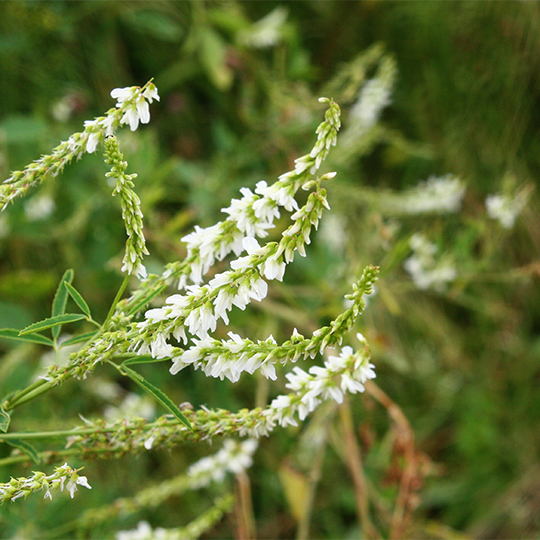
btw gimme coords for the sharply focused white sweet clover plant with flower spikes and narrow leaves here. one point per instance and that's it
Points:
(181, 328)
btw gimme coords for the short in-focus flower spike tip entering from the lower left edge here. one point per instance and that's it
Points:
(63, 476)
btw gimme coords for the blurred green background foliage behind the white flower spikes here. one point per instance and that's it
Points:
(239, 104)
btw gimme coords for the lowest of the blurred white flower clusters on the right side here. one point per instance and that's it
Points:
(426, 270)
